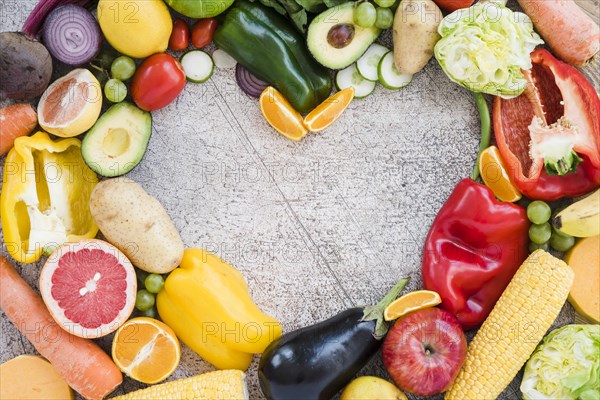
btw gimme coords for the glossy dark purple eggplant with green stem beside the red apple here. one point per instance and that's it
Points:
(316, 362)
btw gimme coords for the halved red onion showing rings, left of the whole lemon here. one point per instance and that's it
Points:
(72, 35)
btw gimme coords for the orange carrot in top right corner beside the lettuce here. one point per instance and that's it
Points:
(571, 34)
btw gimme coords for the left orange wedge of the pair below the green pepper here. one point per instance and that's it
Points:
(280, 114)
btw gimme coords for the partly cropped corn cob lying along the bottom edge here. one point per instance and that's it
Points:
(216, 385)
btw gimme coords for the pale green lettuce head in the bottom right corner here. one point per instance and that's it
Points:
(566, 365)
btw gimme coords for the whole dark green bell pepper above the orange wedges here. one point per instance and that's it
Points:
(268, 46)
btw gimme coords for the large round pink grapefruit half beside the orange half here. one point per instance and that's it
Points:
(89, 287)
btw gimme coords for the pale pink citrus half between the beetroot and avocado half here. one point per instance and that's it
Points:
(71, 105)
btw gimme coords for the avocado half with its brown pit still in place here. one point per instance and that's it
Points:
(335, 40)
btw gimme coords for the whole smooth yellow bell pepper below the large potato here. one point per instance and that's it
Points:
(207, 303)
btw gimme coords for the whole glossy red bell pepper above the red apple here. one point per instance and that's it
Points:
(473, 249)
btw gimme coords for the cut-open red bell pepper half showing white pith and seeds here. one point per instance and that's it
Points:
(549, 136)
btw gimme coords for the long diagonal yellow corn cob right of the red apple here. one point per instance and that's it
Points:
(519, 320)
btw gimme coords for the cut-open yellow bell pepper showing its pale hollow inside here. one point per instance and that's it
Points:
(45, 196)
